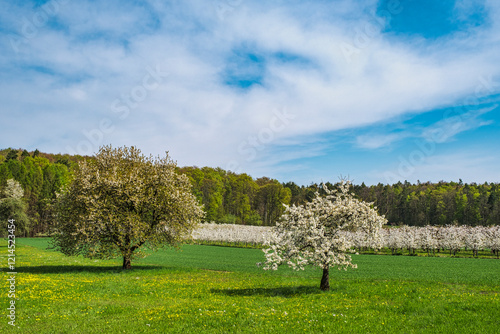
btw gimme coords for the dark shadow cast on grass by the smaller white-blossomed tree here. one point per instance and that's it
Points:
(270, 292)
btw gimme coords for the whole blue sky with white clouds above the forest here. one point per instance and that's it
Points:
(379, 91)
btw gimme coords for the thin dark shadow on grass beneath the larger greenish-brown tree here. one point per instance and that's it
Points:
(80, 269)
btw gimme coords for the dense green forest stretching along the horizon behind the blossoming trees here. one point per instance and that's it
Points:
(233, 198)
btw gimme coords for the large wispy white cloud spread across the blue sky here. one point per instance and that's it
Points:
(104, 49)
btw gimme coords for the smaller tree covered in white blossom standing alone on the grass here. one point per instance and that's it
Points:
(315, 232)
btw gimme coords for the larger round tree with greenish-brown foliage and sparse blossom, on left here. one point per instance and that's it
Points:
(122, 200)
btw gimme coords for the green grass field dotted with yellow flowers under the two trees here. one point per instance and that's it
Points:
(209, 289)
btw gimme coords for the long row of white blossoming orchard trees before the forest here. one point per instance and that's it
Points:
(431, 239)
